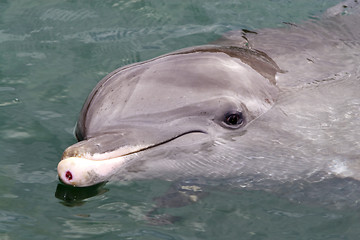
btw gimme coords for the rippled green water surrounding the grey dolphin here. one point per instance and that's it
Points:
(52, 53)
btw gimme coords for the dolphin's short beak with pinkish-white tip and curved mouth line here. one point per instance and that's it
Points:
(95, 160)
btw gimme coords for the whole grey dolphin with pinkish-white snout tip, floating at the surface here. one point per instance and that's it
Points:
(281, 104)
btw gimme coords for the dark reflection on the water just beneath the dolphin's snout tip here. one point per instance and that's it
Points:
(75, 196)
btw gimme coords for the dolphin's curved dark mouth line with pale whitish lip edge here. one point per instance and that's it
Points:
(140, 148)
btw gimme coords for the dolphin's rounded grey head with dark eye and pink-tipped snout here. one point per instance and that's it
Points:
(141, 118)
